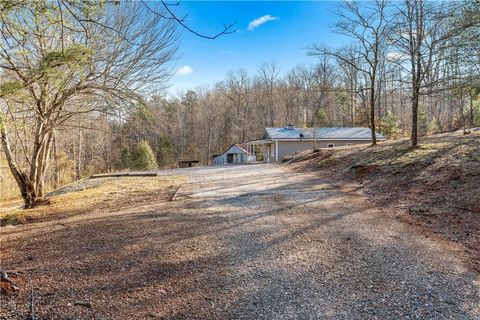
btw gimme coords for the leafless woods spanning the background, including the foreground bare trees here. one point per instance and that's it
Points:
(83, 85)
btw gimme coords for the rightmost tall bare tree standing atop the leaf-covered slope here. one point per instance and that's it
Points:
(421, 32)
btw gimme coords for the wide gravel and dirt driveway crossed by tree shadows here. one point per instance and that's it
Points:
(239, 242)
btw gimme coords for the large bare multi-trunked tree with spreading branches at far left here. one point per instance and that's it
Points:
(57, 68)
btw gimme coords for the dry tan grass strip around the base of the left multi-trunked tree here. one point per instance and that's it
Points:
(88, 195)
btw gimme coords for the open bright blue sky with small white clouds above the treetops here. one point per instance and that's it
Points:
(289, 28)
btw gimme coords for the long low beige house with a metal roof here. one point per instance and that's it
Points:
(278, 142)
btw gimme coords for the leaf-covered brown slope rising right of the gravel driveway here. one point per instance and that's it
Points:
(435, 186)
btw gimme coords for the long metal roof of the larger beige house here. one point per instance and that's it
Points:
(356, 133)
